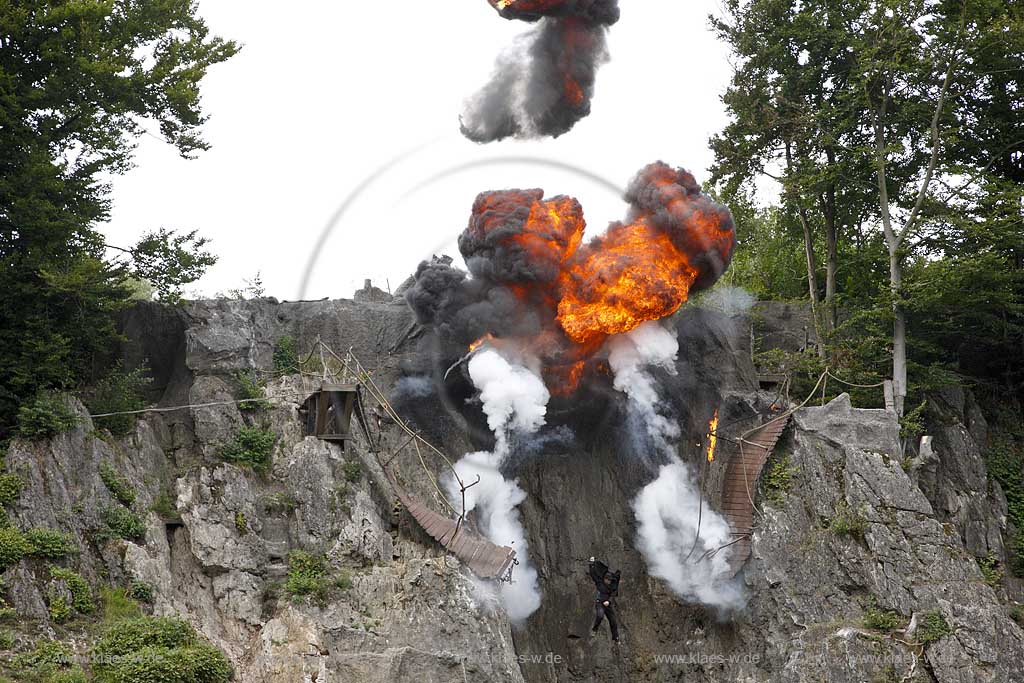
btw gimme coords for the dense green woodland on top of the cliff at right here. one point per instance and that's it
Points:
(894, 132)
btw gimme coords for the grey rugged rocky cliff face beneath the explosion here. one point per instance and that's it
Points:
(864, 564)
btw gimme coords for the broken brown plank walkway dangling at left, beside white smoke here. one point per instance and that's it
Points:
(485, 559)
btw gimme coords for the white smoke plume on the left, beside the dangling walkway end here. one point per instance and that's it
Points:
(516, 402)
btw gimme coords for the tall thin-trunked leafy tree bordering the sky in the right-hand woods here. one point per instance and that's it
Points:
(789, 102)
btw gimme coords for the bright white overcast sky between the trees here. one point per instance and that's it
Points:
(323, 95)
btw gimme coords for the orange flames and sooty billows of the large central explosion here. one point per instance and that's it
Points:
(645, 270)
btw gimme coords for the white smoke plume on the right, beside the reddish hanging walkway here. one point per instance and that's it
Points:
(668, 509)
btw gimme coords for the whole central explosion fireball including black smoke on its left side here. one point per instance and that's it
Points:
(537, 286)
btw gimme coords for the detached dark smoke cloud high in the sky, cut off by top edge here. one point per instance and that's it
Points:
(543, 84)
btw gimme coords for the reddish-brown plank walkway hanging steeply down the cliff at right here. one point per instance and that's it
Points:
(741, 484)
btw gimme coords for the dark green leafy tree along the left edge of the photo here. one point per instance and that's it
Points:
(79, 82)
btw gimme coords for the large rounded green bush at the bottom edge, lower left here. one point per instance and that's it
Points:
(157, 651)
